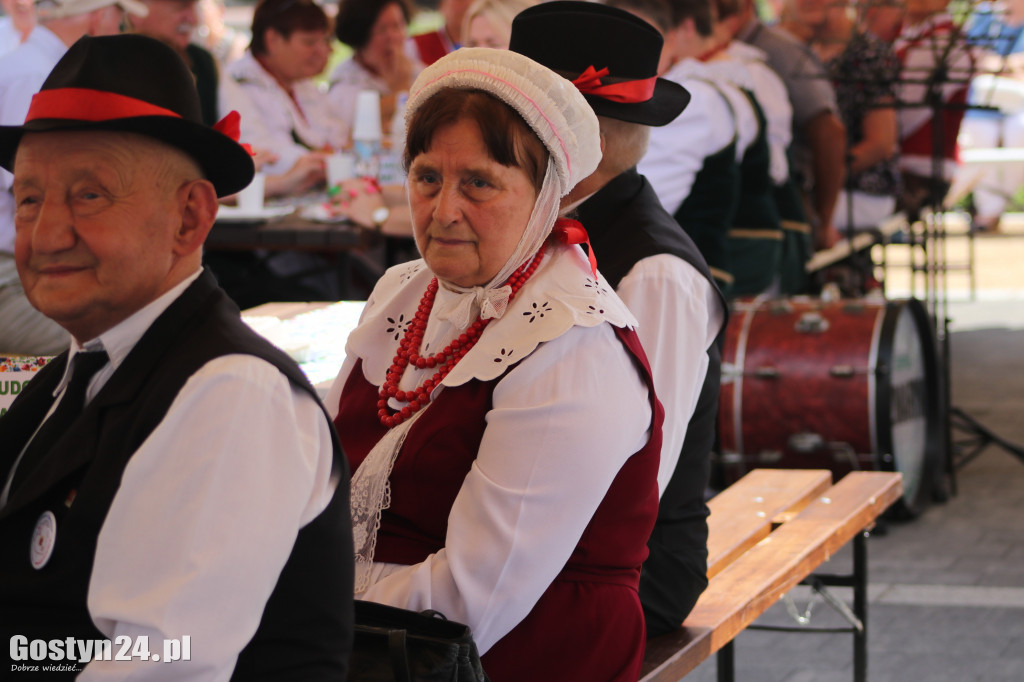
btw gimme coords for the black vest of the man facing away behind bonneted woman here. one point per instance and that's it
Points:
(627, 224)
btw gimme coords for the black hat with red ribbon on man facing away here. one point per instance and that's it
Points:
(580, 40)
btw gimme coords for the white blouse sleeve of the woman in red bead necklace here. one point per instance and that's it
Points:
(564, 423)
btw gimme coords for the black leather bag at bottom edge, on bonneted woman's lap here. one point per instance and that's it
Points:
(399, 646)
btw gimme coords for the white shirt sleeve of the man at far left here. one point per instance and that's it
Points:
(206, 517)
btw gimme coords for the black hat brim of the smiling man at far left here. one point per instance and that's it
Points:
(227, 164)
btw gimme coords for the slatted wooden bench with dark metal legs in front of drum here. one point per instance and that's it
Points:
(769, 533)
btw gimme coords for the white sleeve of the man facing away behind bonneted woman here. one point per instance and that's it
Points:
(679, 316)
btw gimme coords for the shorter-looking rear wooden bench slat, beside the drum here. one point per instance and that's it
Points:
(743, 515)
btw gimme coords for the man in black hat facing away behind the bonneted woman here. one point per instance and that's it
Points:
(613, 59)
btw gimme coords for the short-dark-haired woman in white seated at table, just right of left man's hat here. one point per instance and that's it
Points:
(286, 114)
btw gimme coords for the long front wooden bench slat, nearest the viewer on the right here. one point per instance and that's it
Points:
(747, 587)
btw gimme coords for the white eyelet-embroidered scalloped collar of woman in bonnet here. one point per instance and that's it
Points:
(562, 294)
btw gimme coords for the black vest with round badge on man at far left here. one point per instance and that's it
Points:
(307, 629)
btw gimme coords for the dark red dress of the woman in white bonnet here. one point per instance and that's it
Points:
(588, 625)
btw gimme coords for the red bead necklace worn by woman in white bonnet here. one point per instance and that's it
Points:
(446, 360)
